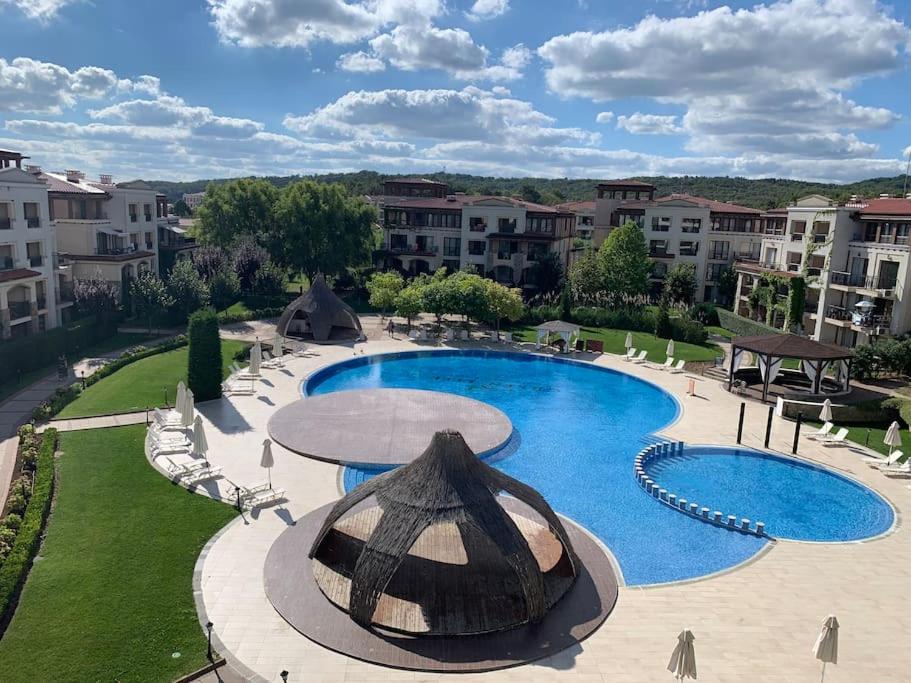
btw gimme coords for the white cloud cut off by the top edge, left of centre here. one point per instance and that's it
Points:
(284, 23)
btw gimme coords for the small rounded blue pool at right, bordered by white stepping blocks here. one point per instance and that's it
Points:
(795, 499)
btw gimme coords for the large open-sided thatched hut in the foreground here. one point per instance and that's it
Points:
(428, 548)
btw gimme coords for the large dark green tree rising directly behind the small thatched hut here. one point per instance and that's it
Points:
(320, 228)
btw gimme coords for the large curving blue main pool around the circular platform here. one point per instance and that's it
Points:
(577, 428)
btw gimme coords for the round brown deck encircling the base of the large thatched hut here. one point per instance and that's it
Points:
(294, 593)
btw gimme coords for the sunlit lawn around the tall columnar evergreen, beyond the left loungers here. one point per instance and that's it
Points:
(142, 384)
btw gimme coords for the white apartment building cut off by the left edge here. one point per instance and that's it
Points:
(31, 298)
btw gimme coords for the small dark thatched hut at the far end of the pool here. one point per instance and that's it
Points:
(319, 315)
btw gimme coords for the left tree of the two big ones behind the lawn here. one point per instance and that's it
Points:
(234, 209)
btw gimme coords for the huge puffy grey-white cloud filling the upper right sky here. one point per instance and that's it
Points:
(773, 70)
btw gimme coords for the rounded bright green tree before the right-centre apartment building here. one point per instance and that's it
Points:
(624, 263)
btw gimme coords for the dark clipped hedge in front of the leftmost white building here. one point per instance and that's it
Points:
(41, 350)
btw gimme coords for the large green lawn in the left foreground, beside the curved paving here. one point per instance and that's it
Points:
(111, 598)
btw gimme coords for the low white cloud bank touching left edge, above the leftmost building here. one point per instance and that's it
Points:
(27, 85)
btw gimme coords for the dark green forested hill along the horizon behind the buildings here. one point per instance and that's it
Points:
(764, 193)
